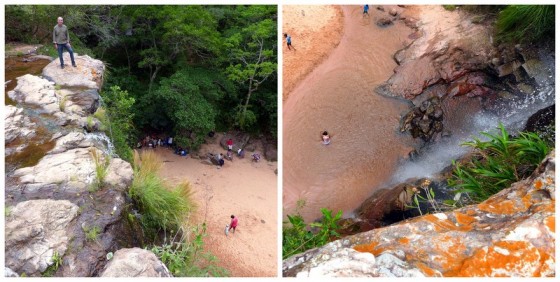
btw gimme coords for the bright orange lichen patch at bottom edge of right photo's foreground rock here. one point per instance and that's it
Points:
(504, 258)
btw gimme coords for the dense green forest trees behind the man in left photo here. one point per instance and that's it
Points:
(189, 69)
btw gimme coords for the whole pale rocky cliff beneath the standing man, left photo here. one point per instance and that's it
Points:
(56, 207)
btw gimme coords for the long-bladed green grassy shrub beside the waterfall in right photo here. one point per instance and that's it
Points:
(497, 163)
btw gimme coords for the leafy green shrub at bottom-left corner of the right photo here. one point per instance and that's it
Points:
(300, 236)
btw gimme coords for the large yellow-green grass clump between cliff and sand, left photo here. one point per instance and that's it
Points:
(163, 207)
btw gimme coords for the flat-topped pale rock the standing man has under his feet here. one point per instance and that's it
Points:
(88, 74)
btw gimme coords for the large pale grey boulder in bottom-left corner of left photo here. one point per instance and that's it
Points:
(35, 230)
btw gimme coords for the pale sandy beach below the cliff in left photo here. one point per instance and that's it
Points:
(243, 188)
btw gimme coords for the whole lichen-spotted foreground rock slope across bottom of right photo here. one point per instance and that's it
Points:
(510, 234)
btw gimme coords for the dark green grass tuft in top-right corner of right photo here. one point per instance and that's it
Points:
(526, 23)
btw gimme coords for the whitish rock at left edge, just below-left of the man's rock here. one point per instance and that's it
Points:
(36, 91)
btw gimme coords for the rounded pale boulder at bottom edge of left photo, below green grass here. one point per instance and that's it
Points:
(135, 262)
